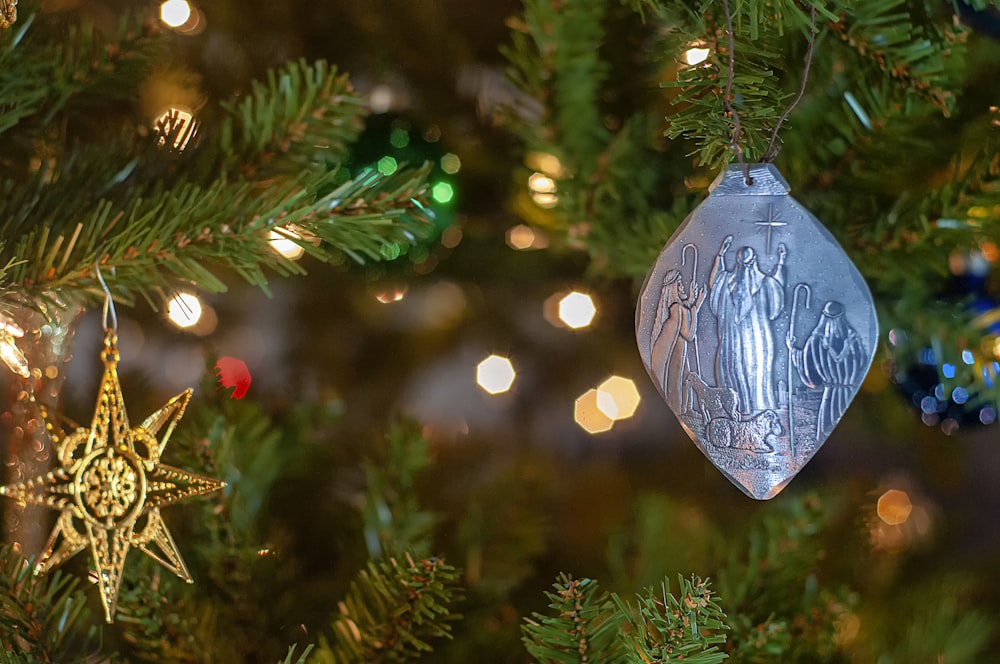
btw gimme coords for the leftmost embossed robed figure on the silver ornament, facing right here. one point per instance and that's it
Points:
(674, 332)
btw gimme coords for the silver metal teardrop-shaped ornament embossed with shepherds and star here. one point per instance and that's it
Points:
(756, 328)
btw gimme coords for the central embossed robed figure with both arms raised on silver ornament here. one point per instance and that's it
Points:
(745, 300)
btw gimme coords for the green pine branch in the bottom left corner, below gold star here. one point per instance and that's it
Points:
(43, 618)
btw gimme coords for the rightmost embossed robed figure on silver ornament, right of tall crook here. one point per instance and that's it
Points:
(833, 359)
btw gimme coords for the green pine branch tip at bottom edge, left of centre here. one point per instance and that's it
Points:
(392, 612)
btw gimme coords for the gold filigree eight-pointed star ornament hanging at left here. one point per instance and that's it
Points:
(110, 485)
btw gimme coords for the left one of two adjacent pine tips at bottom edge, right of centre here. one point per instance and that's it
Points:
(582, 627)
